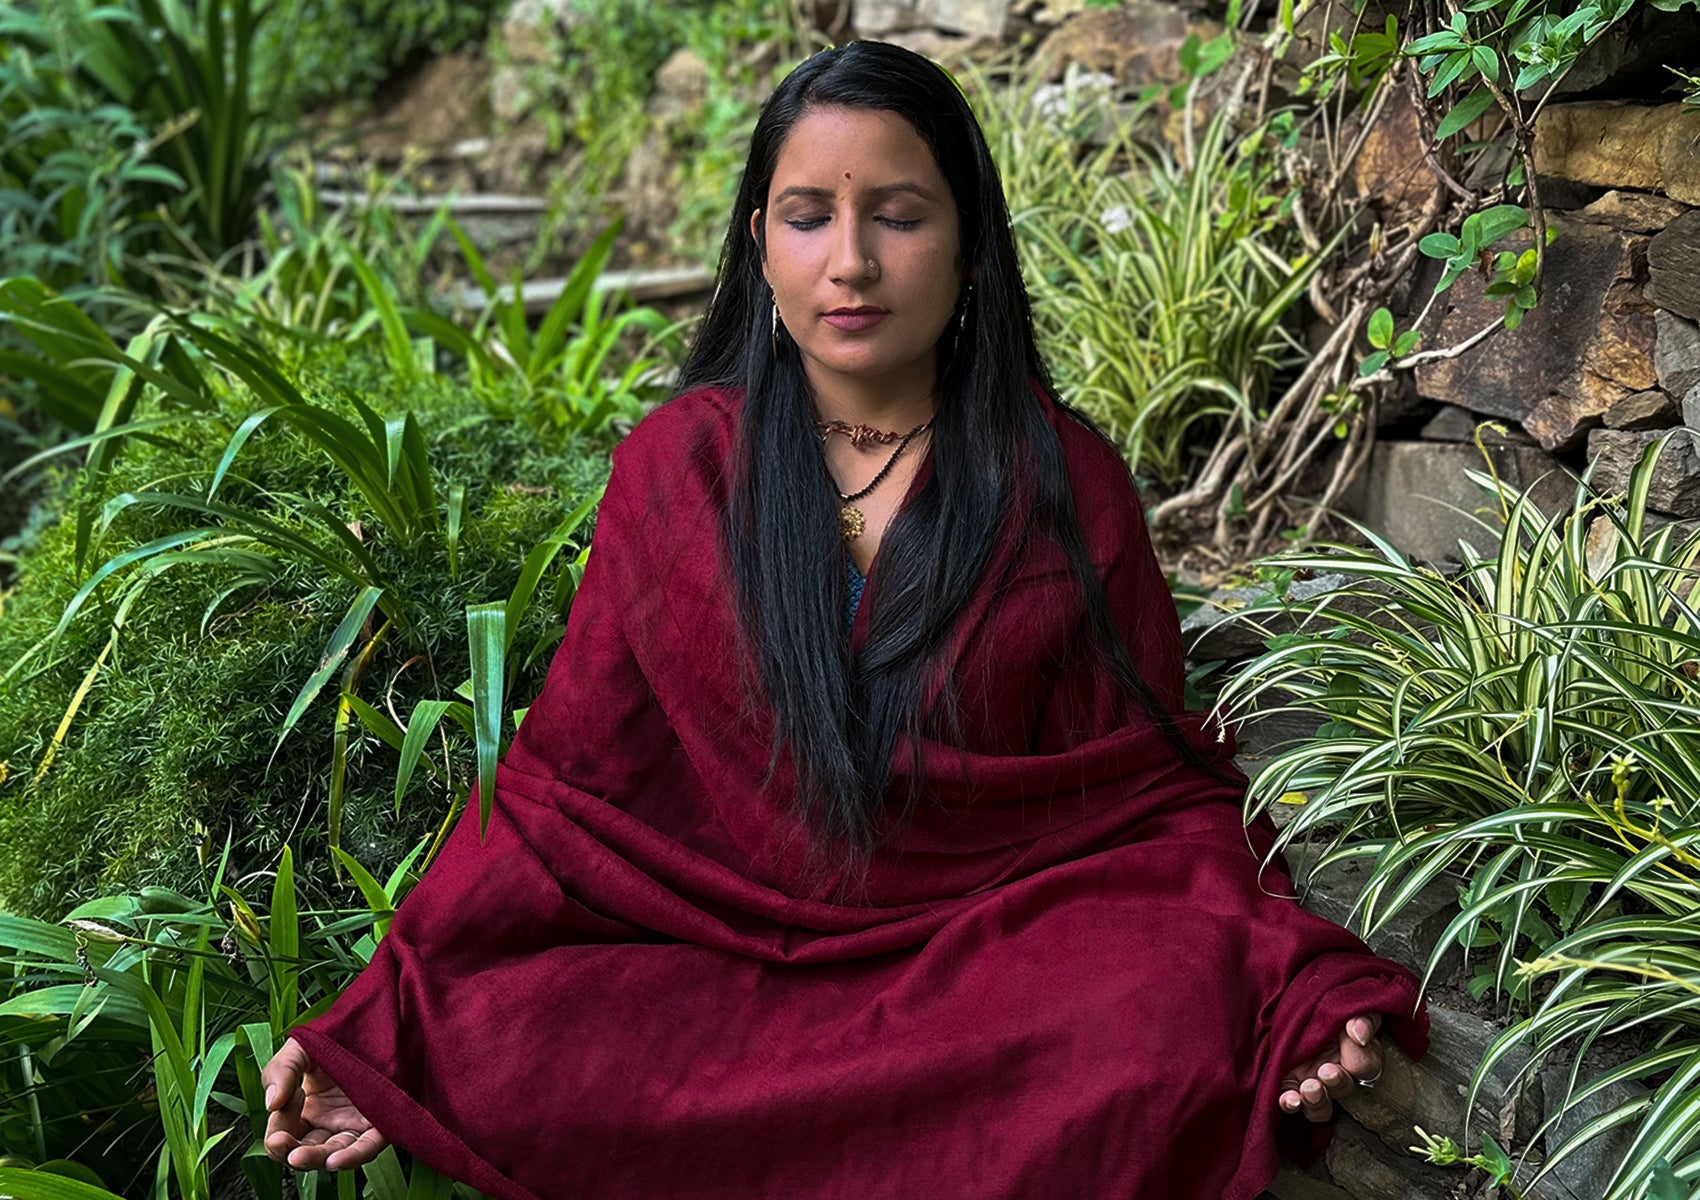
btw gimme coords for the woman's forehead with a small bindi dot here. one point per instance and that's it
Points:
(854, 150)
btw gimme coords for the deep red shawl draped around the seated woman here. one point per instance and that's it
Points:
(1065, 980)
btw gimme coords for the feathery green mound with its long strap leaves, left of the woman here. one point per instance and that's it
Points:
(161, 694)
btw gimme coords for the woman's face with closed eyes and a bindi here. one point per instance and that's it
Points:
(861, 217)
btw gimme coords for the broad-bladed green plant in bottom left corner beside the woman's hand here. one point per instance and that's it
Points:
(207, 990)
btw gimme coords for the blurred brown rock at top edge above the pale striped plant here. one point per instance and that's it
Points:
(1138, 43)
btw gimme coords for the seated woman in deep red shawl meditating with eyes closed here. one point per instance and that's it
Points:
(858, 842)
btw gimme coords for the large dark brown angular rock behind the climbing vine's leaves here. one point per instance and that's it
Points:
(1582, 351)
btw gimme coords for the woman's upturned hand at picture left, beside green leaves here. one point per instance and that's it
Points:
(314, 1126)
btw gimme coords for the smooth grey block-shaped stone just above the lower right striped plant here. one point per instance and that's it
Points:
(1417, 495)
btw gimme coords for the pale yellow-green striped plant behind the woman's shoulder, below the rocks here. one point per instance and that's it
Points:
(1160, 288)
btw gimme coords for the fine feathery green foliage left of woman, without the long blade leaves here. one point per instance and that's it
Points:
(181, 725)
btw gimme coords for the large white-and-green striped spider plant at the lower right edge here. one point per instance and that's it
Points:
(1529, 730)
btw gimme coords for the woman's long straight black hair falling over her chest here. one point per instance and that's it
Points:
(842, 713)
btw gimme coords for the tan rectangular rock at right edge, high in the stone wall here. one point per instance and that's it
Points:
(1648, 149)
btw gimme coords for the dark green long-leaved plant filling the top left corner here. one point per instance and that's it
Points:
(86, 81)
